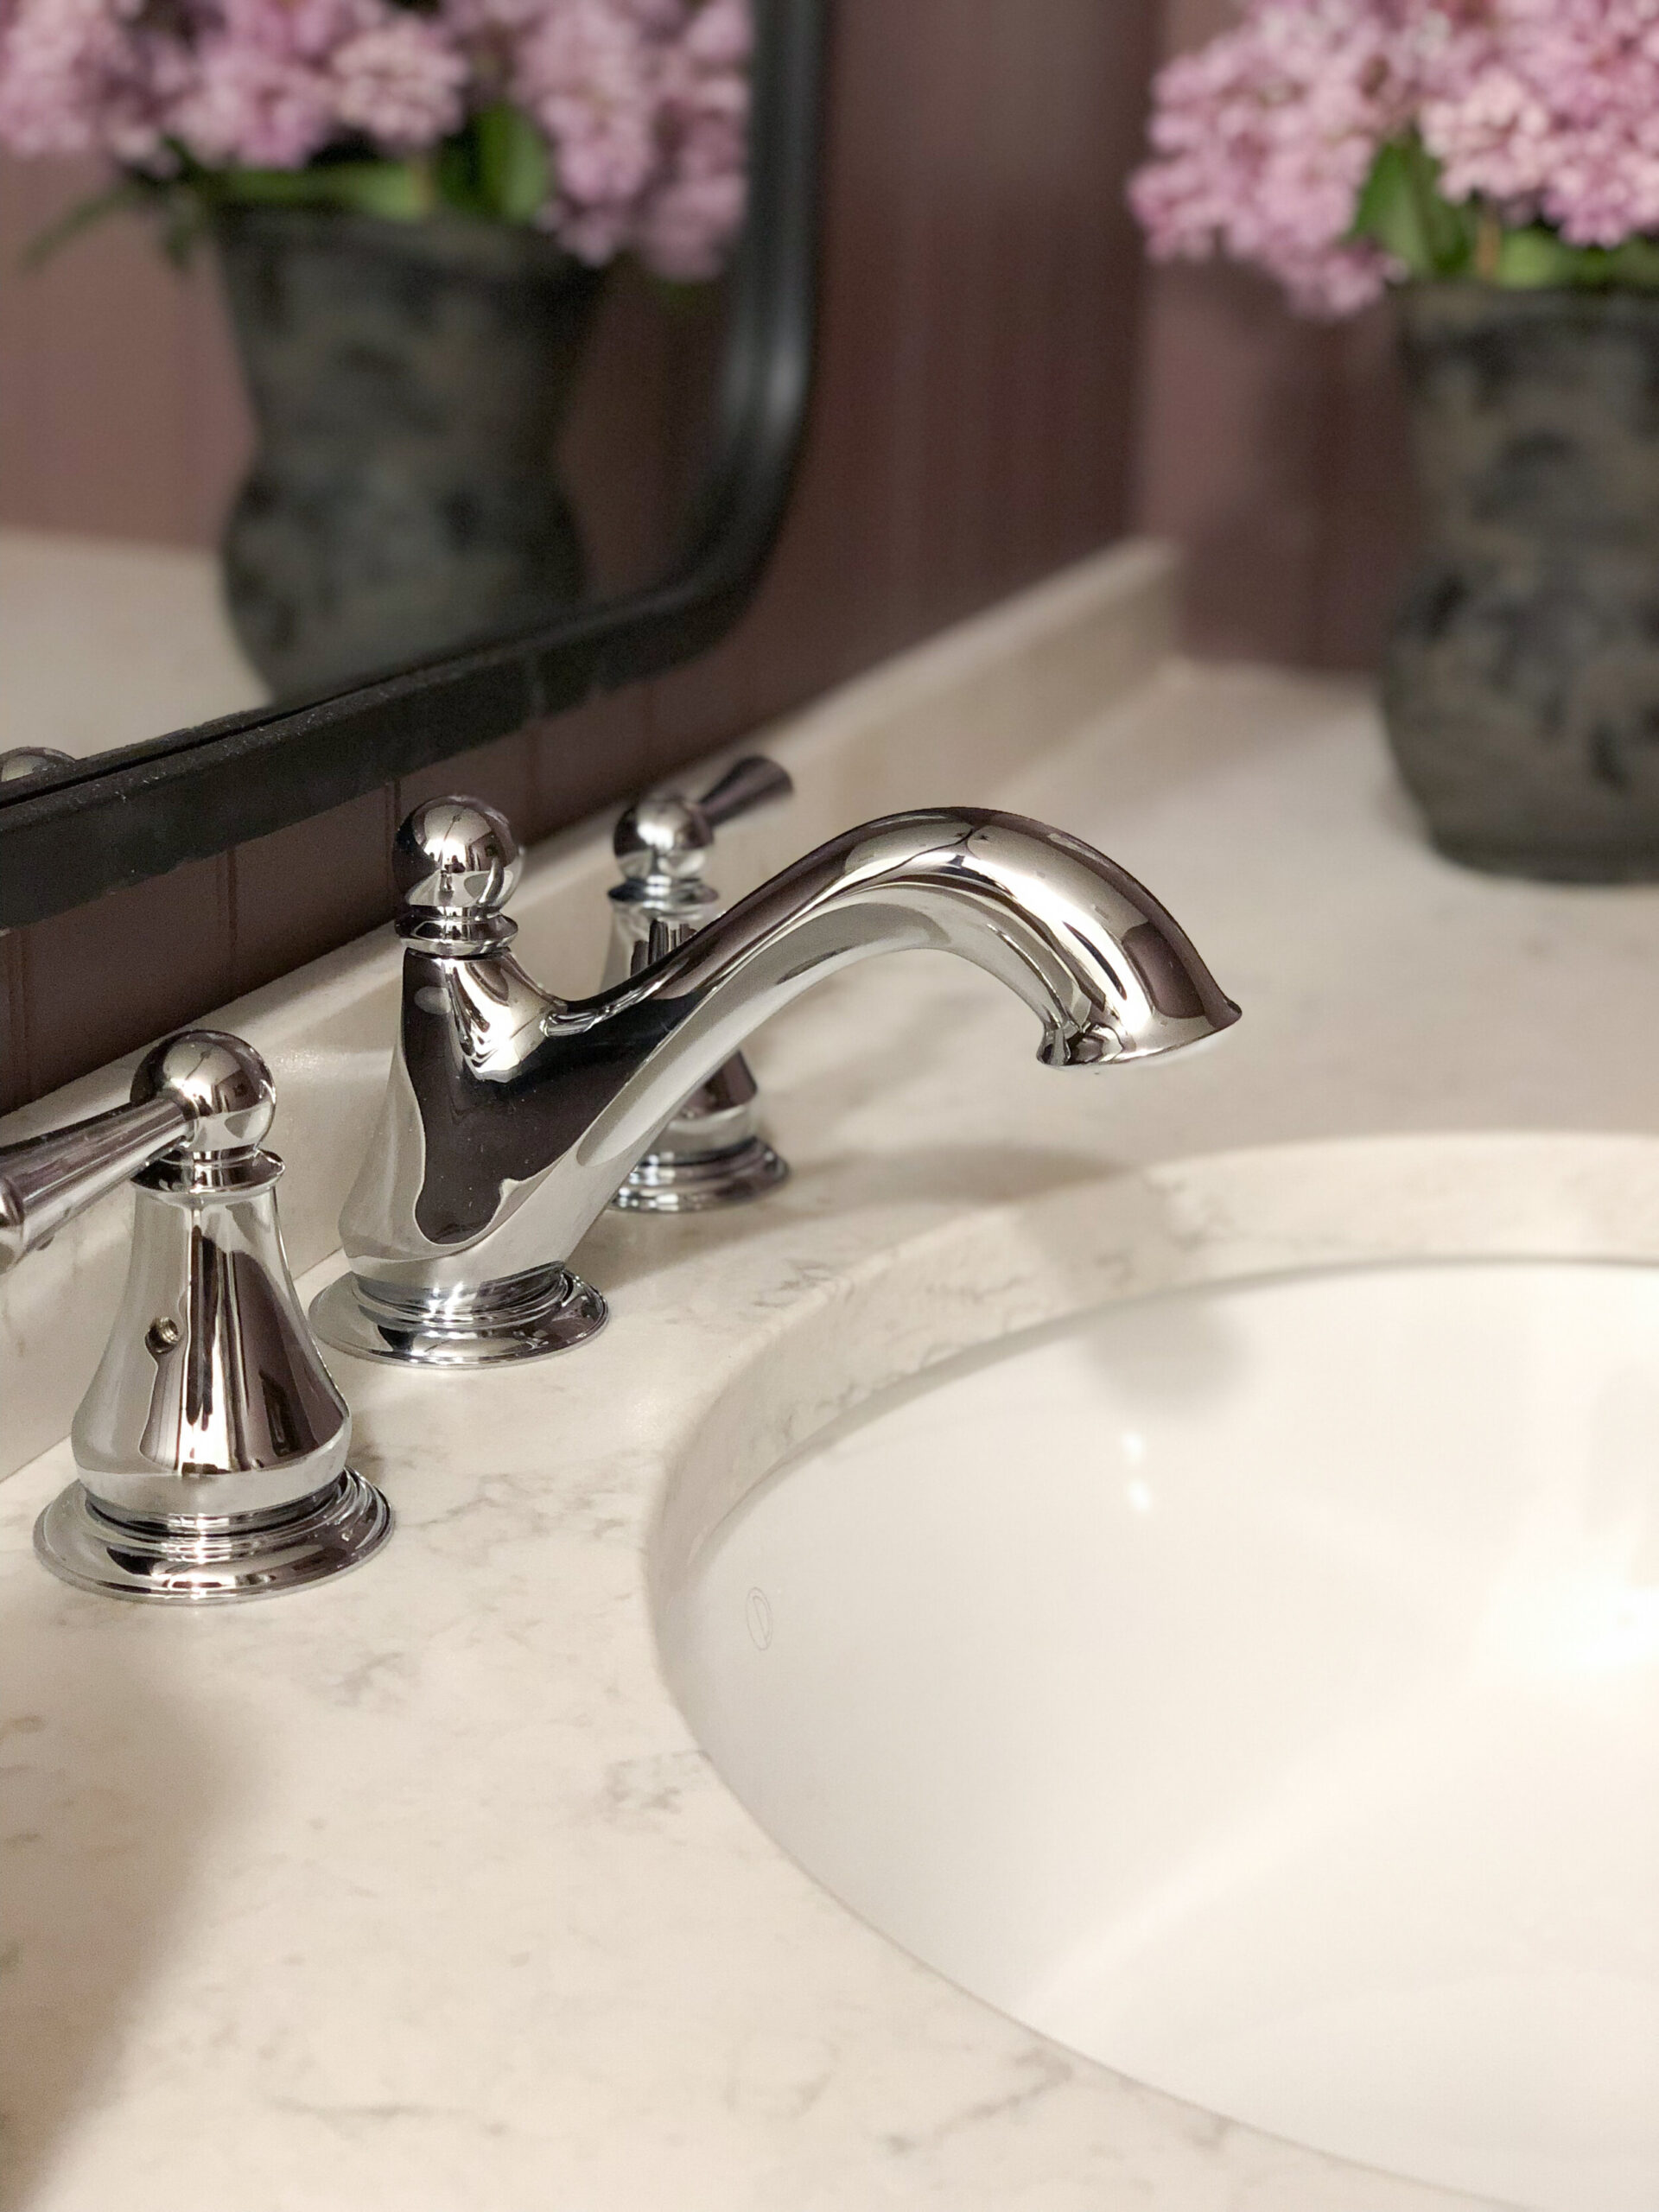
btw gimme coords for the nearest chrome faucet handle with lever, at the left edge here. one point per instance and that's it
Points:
(211, 1443)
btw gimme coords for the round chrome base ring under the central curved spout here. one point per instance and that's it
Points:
(519, 1319)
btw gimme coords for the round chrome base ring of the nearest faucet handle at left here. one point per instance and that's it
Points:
(211, 1561)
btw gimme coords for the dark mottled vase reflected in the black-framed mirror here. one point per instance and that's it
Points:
(408, 384)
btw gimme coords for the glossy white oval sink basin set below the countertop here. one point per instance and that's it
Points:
(1258, 1691)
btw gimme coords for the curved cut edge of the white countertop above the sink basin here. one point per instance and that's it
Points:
(1258, 1213)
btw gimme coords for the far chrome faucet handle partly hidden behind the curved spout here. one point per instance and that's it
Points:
(711, 1154)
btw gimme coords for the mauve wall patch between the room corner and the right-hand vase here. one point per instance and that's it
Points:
(1273, 450)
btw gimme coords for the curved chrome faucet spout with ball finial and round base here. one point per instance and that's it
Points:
(512, 1116)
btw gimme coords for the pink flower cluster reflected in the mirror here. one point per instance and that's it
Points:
(645, 103)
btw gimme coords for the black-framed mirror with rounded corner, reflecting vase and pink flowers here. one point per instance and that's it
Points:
(428, 435)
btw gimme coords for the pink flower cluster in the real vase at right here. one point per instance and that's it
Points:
(1541, 109)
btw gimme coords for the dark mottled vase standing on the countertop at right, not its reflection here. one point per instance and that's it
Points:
(1523, 678)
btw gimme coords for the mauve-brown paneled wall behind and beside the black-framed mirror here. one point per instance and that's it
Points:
(972, 430)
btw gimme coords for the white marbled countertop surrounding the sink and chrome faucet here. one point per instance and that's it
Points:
(417, 1895)
